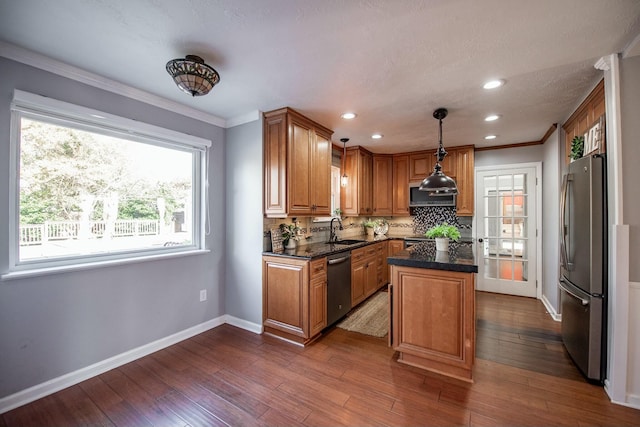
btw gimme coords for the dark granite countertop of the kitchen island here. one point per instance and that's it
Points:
(460, 257)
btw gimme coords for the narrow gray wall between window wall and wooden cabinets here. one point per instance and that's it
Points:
(244, 222)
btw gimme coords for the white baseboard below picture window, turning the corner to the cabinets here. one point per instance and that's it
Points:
(56, 384)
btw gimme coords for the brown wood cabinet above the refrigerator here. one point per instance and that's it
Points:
(585, 117)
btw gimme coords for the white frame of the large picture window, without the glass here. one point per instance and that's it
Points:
(53, 111)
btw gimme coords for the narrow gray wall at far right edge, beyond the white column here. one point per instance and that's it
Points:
(630, 108)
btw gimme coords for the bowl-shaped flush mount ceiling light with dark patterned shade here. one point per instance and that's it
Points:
(192, 75)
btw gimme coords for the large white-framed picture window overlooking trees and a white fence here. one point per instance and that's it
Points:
(89, 187)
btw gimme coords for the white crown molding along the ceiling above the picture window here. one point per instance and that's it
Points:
(45, 63)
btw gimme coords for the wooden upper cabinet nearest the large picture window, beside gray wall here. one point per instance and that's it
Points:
(297, 165)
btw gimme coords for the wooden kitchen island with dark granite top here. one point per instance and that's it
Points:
(433, 308)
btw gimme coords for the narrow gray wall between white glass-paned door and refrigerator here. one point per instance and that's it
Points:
(551, 182)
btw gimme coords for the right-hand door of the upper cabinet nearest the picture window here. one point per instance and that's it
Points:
(321, 182)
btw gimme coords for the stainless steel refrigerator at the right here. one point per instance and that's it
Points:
(583, 271)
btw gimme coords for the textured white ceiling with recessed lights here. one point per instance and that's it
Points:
(391, 62)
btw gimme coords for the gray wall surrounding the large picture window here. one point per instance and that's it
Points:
(55, 324)
